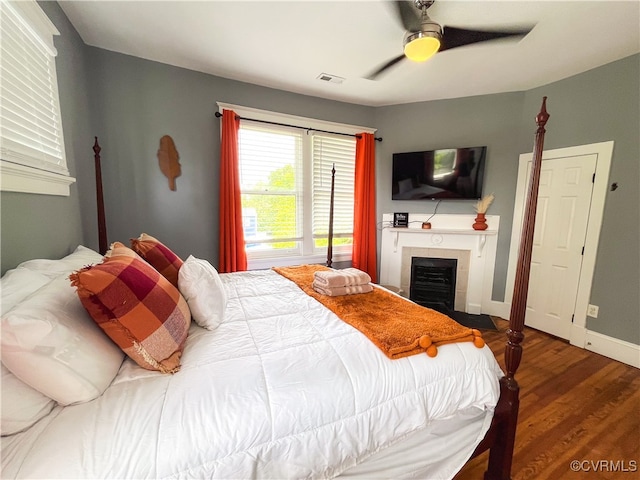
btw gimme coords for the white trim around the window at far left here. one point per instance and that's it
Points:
(19, 173)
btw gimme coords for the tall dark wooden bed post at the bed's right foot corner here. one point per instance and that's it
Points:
(506, 414)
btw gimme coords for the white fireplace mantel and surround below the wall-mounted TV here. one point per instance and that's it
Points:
(449, 232)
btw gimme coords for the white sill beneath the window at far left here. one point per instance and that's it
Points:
(23, 179)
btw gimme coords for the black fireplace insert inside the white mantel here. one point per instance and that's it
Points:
(433, 283)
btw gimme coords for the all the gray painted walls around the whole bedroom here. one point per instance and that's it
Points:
(133, 102)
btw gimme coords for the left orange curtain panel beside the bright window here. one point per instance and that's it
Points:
(233, 257)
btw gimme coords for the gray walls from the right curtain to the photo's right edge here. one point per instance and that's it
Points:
(582, 112)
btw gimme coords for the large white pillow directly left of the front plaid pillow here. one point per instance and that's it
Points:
(51, 343)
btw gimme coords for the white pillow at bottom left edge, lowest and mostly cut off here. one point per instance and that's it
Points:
(22, 406)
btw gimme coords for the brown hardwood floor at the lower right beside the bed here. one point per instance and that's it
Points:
(574, 405)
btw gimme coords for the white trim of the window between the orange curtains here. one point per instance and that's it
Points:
(339, 254)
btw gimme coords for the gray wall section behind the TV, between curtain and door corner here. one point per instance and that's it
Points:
(491, 120)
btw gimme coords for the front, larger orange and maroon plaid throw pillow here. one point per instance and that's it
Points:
(136, 307)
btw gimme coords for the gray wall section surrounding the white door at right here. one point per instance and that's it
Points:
(598, 106)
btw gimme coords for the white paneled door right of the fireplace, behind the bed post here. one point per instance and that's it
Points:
(564, 201)
